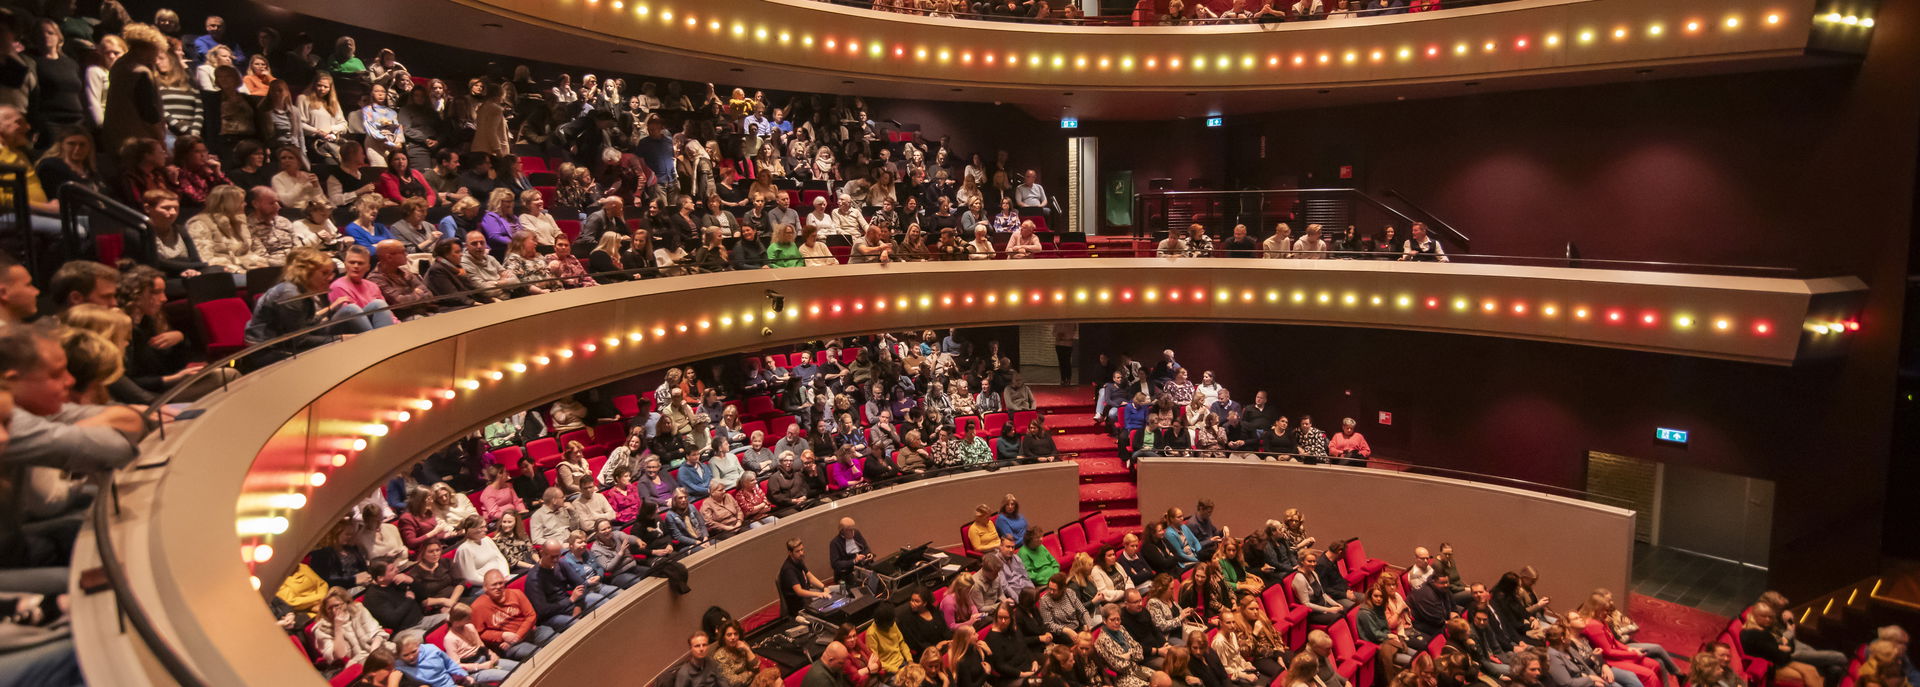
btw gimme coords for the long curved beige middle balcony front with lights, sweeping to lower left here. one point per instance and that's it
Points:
(226, 504)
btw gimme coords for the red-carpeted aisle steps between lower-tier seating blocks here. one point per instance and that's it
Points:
(1107, 485)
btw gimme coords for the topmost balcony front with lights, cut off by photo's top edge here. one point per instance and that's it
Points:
(1126, 72)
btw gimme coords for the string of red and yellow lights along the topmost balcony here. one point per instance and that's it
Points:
(959, 59)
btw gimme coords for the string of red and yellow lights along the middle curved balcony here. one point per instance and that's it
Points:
(264, 513)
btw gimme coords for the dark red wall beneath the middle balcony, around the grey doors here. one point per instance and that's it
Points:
(1531, 412)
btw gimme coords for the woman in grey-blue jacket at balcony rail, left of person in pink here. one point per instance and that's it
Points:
(287, 308)
